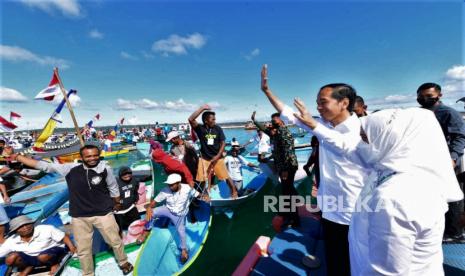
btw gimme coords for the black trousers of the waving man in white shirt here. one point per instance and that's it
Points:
(336, 248)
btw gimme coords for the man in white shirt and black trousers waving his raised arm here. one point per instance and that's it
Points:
(341, 178)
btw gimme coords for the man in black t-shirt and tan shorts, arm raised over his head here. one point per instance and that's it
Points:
(212, 143)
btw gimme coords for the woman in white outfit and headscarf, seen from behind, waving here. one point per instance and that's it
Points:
(398, 229)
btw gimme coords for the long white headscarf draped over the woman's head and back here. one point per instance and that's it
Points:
(411, 141)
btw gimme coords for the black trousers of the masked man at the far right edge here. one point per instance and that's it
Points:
(453, 215)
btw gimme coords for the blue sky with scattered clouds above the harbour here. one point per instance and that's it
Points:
(153, 61)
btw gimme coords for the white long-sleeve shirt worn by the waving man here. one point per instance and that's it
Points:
(341, 179)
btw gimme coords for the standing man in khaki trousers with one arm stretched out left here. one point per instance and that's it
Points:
(93, 195)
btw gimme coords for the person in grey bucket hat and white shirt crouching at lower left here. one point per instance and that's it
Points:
(29, 246)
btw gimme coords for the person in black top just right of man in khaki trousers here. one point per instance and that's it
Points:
(128, 190)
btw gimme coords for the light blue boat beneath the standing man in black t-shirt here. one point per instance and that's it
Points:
(253, 181)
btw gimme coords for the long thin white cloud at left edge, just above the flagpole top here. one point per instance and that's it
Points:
(18, 54)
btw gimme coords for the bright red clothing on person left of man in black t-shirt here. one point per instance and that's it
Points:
(171, 164)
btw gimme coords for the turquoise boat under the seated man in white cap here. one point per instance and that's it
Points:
(160, 254)
